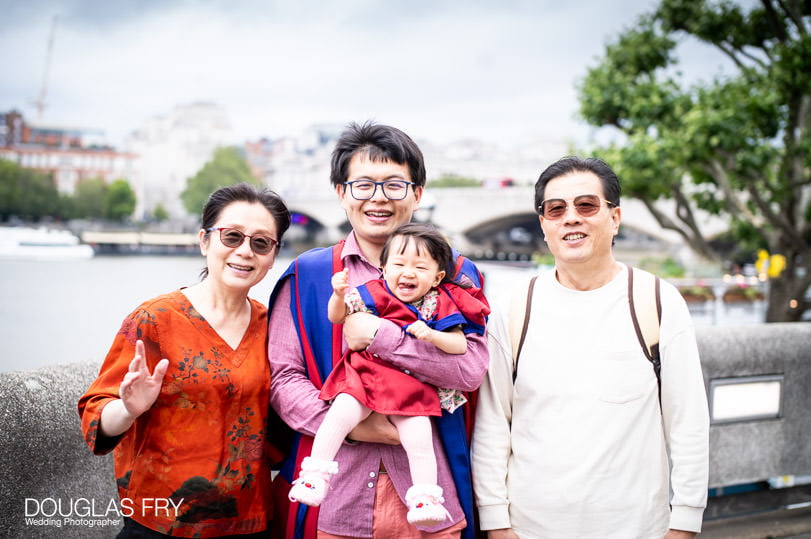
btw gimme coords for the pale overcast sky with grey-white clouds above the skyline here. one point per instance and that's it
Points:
(500, 70)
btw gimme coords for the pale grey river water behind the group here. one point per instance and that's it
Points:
(56, 312)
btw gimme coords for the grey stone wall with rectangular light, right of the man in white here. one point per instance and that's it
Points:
(752, 451)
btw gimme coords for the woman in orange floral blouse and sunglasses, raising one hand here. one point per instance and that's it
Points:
(182, 396)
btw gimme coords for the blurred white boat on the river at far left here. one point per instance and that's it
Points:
(28, 243)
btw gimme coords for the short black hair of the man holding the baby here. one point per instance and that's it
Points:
(380, 143)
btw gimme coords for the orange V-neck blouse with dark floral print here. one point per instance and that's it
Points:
(197, 464)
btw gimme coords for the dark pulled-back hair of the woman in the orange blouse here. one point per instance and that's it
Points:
(243, 192)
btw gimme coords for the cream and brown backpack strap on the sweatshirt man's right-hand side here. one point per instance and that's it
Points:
(645, 302)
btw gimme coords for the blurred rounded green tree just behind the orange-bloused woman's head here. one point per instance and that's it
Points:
(226, 167)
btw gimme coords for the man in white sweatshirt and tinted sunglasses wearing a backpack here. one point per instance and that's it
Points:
(577, 444)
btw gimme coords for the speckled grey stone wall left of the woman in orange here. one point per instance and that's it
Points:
(44, 455)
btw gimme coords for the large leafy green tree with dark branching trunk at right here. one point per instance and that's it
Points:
(738, 147)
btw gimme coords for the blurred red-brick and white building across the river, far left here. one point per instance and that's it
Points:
(66, 154)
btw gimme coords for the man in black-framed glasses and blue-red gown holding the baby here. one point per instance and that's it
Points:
(378, 174)
